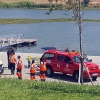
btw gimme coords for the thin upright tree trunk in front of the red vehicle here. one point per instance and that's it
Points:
(80, 39)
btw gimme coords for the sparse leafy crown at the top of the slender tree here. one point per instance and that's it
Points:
(72, 5)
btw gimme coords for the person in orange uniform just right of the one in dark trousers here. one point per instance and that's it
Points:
(19, 67)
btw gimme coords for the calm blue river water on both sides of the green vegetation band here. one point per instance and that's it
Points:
(58, 34)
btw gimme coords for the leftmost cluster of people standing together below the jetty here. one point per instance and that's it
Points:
(12, 61)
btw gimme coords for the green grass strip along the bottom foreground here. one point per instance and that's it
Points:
(14, 89)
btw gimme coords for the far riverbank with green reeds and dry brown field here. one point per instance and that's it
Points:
(40, 4)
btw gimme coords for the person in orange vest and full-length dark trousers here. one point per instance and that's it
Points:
(12, 61)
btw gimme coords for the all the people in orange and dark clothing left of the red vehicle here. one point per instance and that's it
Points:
(13, 61)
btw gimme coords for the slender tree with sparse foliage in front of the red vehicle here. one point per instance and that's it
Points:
(75, 6)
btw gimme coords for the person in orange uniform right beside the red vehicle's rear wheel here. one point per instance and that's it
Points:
(43, 71)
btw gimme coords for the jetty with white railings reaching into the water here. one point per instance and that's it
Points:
(15, 40)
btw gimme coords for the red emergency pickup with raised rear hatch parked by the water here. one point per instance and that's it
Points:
(68, 63)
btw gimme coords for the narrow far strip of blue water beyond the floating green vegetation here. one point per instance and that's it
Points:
(41, 14)
